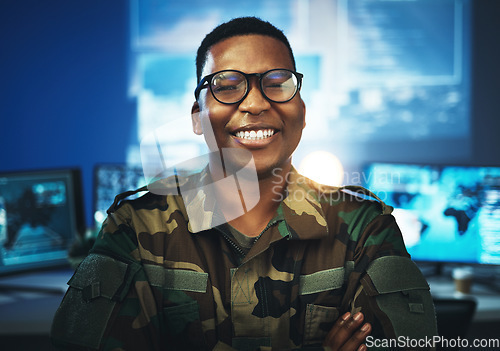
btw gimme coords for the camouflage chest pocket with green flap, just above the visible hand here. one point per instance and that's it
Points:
(320, 319)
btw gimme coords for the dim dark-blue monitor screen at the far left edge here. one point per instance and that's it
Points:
(41, 213)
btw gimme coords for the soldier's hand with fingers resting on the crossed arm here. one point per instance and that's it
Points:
(348, 333)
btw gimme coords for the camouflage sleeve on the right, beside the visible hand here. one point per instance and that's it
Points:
(392, 292)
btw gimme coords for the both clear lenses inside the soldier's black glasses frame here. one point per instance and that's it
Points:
(276, 85)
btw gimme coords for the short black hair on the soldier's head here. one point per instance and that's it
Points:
(235, 27)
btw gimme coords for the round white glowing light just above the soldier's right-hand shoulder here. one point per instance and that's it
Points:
(322, 167)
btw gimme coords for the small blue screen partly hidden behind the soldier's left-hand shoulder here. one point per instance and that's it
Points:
(111, 180)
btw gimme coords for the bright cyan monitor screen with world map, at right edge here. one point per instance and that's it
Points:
(446, 213)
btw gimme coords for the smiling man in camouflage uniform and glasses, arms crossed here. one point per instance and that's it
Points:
(304, 266)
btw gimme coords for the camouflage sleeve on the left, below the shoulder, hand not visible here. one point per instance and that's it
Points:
(109, 303)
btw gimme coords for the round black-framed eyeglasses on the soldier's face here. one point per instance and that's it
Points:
(231, 86)
